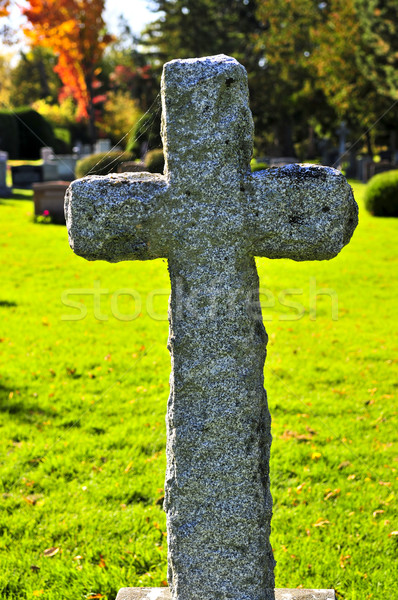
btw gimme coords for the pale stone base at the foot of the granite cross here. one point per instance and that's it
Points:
(280, 594)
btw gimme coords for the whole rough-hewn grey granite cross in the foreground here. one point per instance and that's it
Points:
(210, 216)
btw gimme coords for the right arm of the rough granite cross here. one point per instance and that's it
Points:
(302, 212)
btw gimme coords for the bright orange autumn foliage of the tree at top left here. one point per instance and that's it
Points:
(75, 31)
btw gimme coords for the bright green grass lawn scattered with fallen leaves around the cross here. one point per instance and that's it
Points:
(83, 392)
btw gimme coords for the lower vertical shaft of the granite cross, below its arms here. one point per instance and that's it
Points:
(218, 501)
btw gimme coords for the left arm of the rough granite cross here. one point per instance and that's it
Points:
(117, 217)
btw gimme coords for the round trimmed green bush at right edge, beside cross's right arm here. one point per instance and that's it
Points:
(381, 194)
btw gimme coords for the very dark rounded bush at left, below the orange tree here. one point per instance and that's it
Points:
(34, 133)
